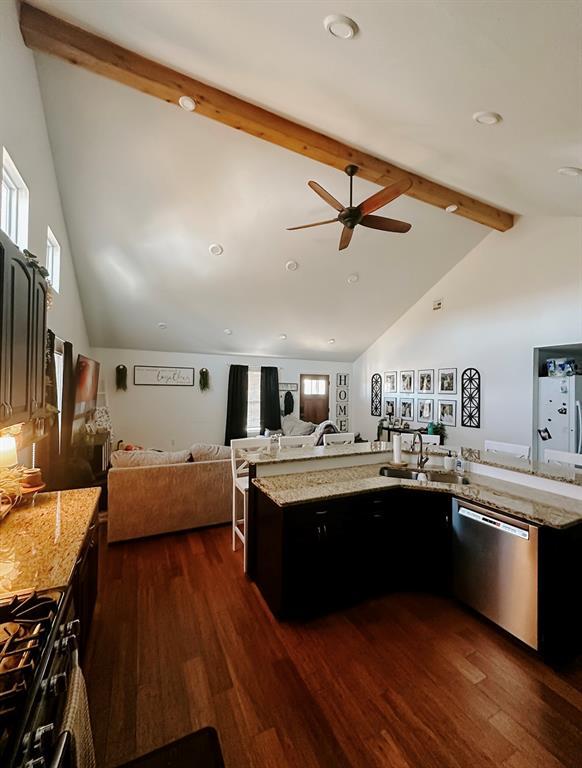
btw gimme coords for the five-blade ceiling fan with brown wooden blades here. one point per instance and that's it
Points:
(353, 215)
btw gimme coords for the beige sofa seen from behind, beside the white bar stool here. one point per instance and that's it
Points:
(147, 499)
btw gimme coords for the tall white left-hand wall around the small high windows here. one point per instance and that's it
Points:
(24, 134)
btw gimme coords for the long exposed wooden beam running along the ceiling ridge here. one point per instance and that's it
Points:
(43, 32)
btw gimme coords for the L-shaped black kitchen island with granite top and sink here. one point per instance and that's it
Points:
(319, 540)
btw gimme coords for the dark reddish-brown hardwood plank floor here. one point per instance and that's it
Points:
(182, 640)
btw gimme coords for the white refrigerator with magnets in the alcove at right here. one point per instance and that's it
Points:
(560, 414)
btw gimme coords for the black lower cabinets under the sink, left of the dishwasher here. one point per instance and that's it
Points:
(314, 557)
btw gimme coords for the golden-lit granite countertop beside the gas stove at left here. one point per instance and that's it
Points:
(40, 542)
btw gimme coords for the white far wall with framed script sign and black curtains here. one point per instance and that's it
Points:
(176, 417)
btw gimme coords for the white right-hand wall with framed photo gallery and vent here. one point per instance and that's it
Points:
(513, 292)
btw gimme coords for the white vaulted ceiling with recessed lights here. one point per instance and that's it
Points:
(147, 187)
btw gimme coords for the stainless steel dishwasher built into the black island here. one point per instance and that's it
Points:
(495, 568)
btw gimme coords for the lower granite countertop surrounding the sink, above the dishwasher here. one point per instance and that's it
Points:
(526, 503)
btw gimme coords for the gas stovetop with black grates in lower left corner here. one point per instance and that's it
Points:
(26, 623)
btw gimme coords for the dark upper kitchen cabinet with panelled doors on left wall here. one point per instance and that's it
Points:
(22, 335)
